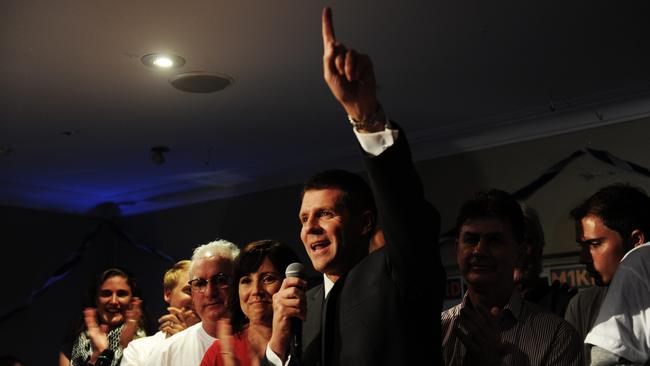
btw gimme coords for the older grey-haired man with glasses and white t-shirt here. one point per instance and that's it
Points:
(210, 273)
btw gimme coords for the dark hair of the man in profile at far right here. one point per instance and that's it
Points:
(622, 207)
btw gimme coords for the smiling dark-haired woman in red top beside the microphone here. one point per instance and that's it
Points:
(258, 274)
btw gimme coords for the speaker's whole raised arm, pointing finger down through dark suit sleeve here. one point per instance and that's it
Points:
(411, 224)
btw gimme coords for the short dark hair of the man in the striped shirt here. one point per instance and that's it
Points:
(493, 203)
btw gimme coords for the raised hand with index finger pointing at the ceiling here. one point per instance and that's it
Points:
(348, 74)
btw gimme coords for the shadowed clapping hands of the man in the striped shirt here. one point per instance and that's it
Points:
(479, 332)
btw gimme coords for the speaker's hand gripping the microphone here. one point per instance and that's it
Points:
(288, 302)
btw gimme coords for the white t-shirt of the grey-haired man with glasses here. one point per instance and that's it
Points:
(183, 348)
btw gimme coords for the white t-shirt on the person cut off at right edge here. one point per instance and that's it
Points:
(623, 323)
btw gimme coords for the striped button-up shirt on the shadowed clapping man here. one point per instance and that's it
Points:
(530, 334)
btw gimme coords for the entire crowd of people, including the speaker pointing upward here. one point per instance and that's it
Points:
(380, 285)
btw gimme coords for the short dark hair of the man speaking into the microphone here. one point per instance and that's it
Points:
(357, 196)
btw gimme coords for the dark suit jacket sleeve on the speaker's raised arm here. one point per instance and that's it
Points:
(411, 224)
